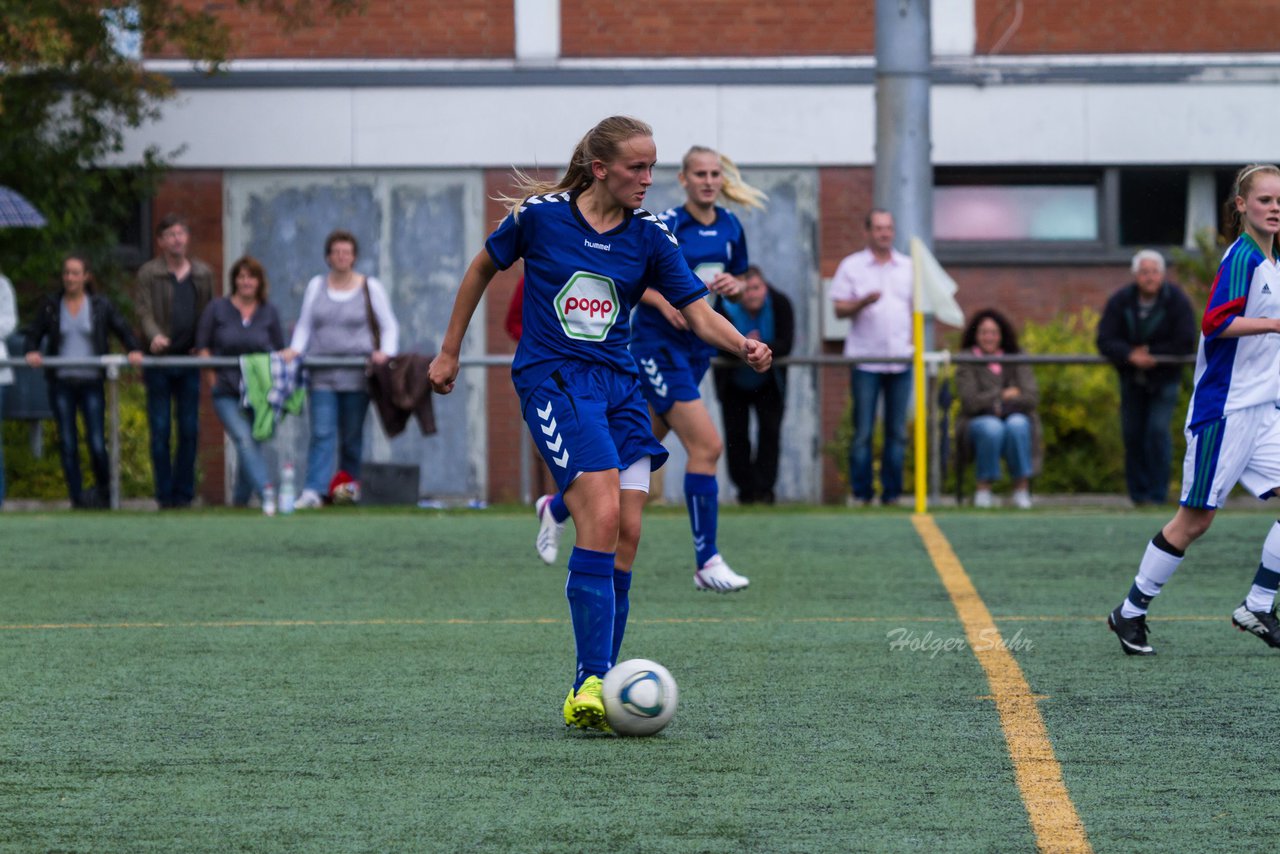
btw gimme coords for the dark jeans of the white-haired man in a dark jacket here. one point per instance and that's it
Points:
(1145, 417)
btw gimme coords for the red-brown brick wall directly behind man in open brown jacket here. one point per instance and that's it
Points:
(198, 195)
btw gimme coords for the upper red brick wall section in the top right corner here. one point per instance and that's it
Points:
(1135, 26)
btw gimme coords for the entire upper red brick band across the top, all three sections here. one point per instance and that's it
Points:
(486, 29)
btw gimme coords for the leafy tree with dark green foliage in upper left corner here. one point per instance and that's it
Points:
(71, 86)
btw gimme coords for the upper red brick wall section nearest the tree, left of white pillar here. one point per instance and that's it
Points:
(386, 30)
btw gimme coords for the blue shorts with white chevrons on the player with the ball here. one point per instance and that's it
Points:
(591, 418)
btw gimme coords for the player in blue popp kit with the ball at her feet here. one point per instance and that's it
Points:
(589, 253)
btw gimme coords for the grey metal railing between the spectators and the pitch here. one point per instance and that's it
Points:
(935, 363)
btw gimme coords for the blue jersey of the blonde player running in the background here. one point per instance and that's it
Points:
(720, 248)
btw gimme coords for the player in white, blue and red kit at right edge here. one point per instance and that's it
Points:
(1233, 426)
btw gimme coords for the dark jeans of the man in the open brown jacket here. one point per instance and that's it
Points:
(173, 392)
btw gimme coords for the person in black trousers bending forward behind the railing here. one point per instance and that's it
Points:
(762, 314)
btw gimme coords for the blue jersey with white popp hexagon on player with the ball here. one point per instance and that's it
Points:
(580, 285)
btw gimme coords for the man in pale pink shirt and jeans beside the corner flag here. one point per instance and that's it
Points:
(874, 290)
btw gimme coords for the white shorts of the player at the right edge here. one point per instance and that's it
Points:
(1242, 447)
